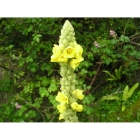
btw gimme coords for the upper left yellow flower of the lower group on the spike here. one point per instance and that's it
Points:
(62, 98)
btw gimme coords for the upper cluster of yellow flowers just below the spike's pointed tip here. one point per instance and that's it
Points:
(72, 55)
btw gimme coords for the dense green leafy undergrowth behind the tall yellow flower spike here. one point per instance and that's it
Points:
(29, 82)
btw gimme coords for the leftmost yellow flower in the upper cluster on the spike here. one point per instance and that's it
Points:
(56, 53)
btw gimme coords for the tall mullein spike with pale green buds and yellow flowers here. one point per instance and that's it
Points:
(69, 55)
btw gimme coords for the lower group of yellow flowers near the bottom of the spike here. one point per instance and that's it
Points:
(64, 103)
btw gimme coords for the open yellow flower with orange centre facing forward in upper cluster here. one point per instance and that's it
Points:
(69, 52)
